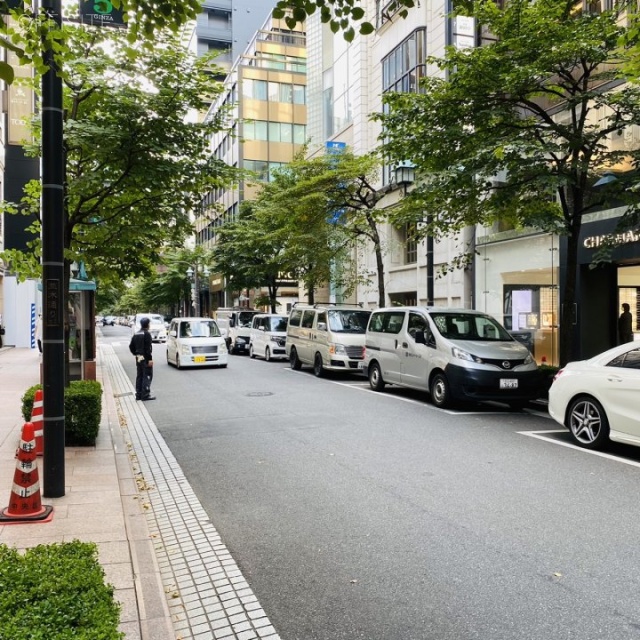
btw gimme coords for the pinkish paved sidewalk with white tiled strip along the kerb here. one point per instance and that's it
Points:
(172, 574)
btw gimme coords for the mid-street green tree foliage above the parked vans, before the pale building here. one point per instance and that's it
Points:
(305, 223)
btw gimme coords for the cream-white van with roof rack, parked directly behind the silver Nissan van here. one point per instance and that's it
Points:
(330, 337)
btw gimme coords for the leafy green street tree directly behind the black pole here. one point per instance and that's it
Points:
(137, 164)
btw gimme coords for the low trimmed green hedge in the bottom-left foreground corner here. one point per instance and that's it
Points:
(56, 592)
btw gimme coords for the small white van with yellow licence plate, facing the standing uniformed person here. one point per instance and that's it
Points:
(195, 342)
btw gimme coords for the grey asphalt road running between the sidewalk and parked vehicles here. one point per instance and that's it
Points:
(356, 515)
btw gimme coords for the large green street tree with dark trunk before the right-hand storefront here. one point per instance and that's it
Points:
(520, 129)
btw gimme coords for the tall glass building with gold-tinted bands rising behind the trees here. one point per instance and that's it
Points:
(266, 93)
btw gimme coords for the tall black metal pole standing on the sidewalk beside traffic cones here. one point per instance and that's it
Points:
(53, 286)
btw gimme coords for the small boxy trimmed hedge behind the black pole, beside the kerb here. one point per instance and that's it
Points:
(82, 408)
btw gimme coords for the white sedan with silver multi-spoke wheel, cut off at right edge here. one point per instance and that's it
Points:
(597, 399)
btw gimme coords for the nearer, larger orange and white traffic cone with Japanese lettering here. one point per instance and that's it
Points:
(25, 504)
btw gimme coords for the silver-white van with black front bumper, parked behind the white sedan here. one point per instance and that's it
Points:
(456, 355)
